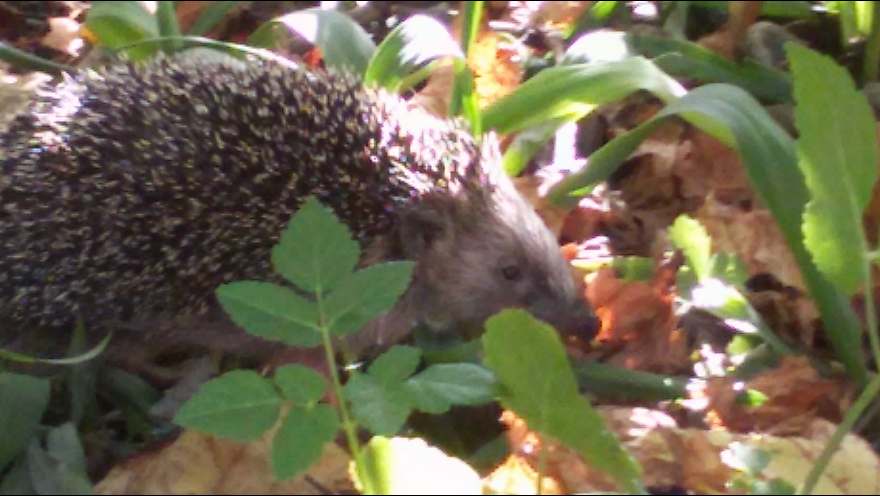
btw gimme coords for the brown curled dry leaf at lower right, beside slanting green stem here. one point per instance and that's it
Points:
(796, 397)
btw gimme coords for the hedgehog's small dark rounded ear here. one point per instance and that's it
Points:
(425, 226)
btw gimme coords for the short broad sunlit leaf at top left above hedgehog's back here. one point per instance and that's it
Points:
(117, 24)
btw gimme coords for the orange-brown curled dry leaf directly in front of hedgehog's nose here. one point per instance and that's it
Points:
(638, 318)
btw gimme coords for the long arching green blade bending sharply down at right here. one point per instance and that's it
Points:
(768, 154)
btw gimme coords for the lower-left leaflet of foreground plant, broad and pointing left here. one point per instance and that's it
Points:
(239, 405)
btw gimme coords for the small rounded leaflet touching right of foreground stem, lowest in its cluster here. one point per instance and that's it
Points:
(381, 408)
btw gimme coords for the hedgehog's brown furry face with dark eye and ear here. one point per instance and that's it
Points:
(486, 250)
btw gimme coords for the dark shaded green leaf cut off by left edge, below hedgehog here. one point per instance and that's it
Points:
(23, 399)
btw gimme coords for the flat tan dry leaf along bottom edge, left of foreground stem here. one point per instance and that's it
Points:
(198, 463)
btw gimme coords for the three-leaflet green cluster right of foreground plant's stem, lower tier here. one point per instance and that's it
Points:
(384, 397)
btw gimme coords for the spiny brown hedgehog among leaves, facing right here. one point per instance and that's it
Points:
(130, 193)
